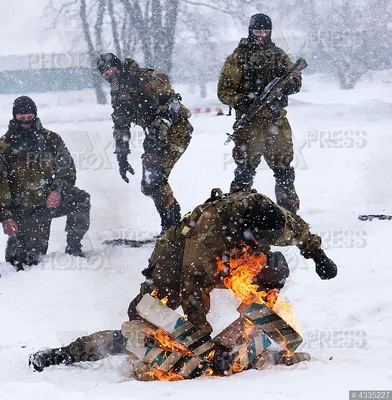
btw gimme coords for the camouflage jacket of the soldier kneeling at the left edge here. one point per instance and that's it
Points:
(32, 166)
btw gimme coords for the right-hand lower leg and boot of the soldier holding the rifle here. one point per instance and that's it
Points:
(285, 193)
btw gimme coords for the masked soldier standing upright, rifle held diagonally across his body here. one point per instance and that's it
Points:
(255, 63)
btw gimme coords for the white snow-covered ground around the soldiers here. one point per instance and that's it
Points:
(342, 143)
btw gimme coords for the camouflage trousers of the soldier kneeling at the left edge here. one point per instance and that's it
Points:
(34, 227)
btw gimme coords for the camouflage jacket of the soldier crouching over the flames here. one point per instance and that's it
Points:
(212, 231)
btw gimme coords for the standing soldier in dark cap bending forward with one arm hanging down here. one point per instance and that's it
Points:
(145, 97)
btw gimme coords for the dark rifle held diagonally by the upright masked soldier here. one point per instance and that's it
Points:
(270, 93)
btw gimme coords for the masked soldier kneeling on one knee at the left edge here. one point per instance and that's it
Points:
(37, 183)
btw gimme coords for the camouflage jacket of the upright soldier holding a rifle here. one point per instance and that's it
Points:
(248, 71)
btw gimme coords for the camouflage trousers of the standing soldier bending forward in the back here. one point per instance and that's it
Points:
(161, 152)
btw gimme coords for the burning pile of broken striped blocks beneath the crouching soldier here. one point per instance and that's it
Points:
(168, 347)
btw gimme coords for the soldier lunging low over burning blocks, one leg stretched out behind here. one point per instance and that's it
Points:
(183, 265)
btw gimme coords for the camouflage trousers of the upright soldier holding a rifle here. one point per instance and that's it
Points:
(273, 141)
